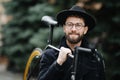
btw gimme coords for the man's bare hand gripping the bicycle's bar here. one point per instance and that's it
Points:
(62, 57)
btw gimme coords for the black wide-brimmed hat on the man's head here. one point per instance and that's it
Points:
(89, 20)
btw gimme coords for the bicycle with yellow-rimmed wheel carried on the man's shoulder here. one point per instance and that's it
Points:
(31, 72)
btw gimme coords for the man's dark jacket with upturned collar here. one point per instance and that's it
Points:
(90, 66)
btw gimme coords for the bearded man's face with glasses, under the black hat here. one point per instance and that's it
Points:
(74, 29)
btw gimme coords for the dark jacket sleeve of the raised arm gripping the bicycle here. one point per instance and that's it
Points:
(48, 66)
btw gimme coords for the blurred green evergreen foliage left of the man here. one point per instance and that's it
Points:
(25, 31)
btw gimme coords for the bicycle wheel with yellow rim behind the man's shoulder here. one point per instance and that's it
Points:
(32, 65)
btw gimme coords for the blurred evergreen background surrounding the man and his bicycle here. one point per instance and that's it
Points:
(21, 30)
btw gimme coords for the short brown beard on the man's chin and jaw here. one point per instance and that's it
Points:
(74, 41)
